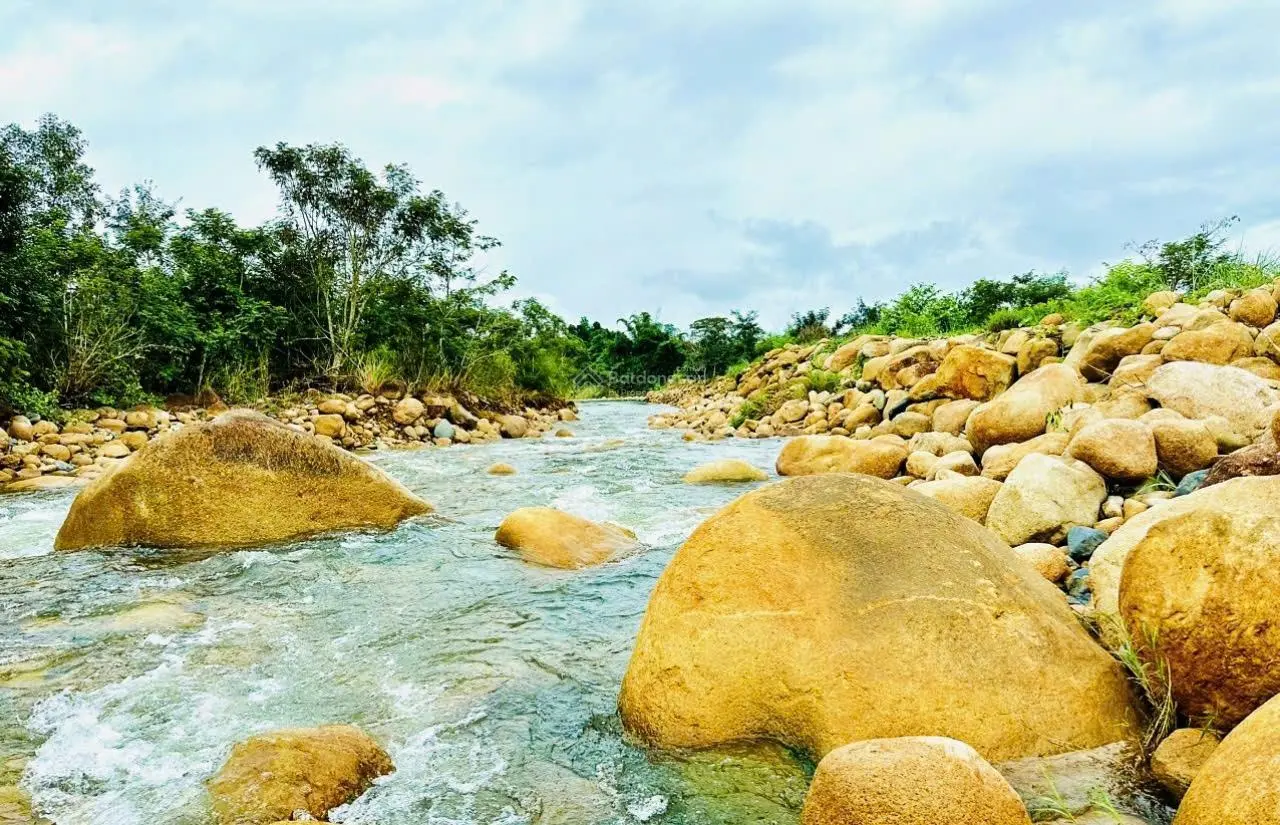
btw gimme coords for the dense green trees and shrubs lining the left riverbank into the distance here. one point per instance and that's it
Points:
(363, 278)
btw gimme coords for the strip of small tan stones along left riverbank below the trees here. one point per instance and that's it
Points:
(47, 455)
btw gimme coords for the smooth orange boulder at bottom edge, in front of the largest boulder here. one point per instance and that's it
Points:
(911, 781)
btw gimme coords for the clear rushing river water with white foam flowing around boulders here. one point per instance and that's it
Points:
(126, 677)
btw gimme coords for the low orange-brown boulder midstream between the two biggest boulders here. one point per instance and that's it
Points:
(556, 539)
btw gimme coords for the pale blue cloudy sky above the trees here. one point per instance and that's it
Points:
(694, 157)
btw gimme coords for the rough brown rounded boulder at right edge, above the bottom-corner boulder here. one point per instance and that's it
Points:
(1201, 593)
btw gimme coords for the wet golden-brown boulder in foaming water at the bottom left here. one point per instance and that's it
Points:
(273, 776)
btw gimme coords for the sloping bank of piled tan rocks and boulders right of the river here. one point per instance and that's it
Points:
(1053, 437)
